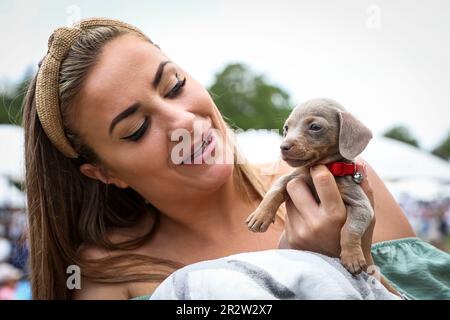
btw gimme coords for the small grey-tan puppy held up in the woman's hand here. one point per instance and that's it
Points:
(321, 131)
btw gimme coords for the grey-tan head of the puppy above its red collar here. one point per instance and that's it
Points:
(321, 130)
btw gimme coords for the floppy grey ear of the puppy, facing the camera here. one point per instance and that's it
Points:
(353, 135)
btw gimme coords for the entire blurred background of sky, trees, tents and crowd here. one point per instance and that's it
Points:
(385, 61)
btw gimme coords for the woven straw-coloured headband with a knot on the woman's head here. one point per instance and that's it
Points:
(47, 85)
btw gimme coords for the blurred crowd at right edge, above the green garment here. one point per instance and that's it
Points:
(429, 219)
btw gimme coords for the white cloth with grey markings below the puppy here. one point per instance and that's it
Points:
(270, 274)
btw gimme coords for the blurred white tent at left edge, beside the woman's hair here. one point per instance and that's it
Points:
(11, 152)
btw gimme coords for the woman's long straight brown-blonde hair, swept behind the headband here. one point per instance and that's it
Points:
(67, 210)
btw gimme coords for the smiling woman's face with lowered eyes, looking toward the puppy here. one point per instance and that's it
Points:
(131, 103)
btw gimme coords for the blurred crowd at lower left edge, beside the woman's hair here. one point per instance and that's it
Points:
(13, 255)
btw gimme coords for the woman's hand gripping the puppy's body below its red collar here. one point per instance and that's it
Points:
(317, 227)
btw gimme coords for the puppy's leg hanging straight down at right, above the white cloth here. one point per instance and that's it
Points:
(358, 220)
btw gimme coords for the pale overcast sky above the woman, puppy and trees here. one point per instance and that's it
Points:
(388, 62)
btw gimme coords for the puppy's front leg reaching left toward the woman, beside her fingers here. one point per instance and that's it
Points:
(260, 219)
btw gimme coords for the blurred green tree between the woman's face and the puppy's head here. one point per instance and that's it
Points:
(247, 100)
